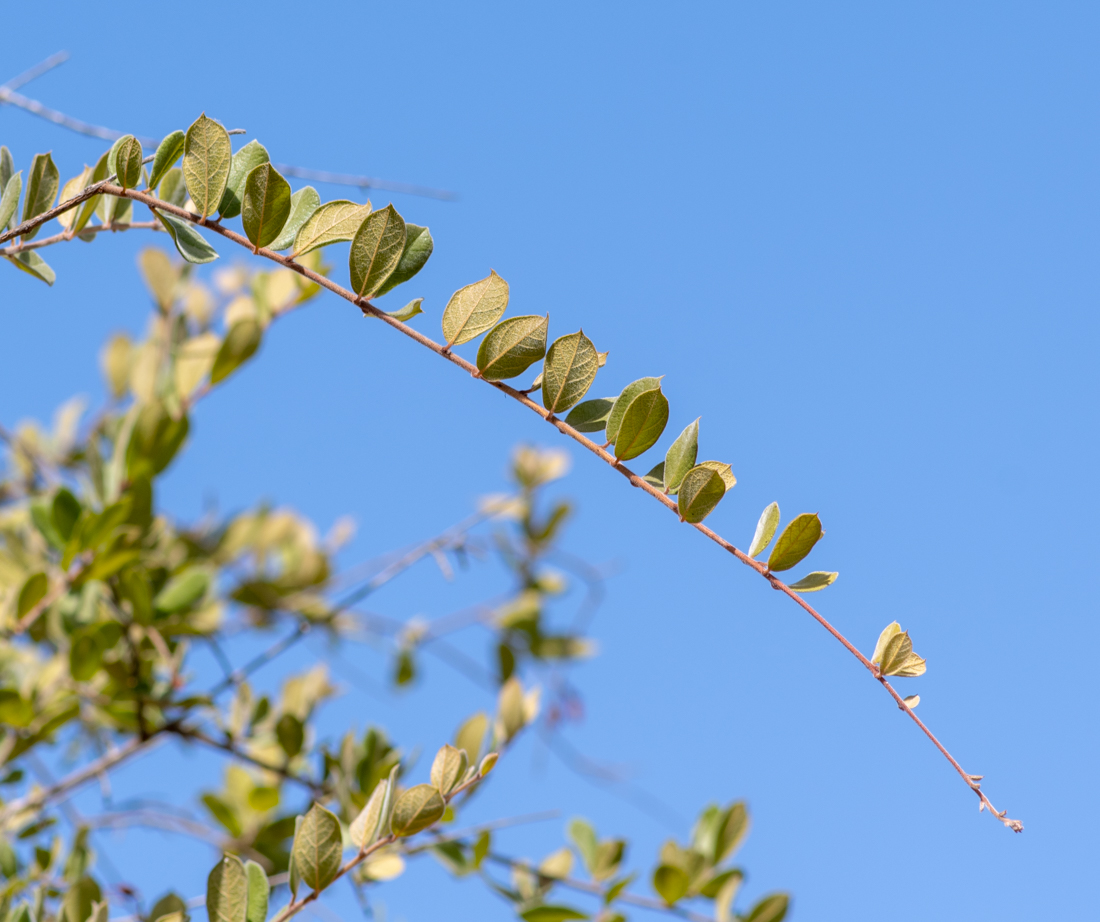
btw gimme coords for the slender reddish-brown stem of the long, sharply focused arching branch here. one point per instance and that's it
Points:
(601, 453)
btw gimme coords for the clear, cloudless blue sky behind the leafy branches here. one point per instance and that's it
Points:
(861, 242)
